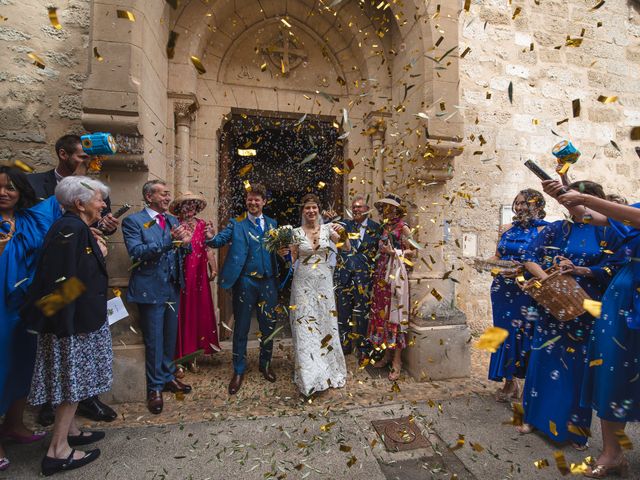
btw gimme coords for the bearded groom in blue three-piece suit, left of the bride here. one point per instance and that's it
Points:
(251, 272)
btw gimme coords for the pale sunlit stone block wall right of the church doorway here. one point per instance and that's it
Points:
(530, 52)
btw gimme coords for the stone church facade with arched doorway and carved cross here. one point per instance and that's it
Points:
(440, 102)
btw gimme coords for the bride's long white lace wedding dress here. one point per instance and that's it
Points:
(319, 362)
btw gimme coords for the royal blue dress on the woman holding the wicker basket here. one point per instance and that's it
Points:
(551, 397)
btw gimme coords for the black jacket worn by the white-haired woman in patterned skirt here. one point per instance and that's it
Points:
(69, 250)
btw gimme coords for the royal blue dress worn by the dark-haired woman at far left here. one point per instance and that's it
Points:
(17, 265)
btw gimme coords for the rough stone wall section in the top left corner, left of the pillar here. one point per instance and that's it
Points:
(39, 105)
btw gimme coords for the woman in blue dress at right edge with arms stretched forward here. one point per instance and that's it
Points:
(612, 384)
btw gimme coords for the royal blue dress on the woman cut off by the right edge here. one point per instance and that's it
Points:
(612, 377)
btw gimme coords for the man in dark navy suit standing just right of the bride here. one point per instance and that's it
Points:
(354, 274)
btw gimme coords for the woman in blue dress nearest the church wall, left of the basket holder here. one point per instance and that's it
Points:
(508, 302)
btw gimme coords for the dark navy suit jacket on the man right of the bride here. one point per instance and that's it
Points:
(358, 264)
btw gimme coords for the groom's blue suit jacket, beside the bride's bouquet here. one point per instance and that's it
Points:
(240, 233)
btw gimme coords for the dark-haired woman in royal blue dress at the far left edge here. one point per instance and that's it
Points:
(22, 230)
